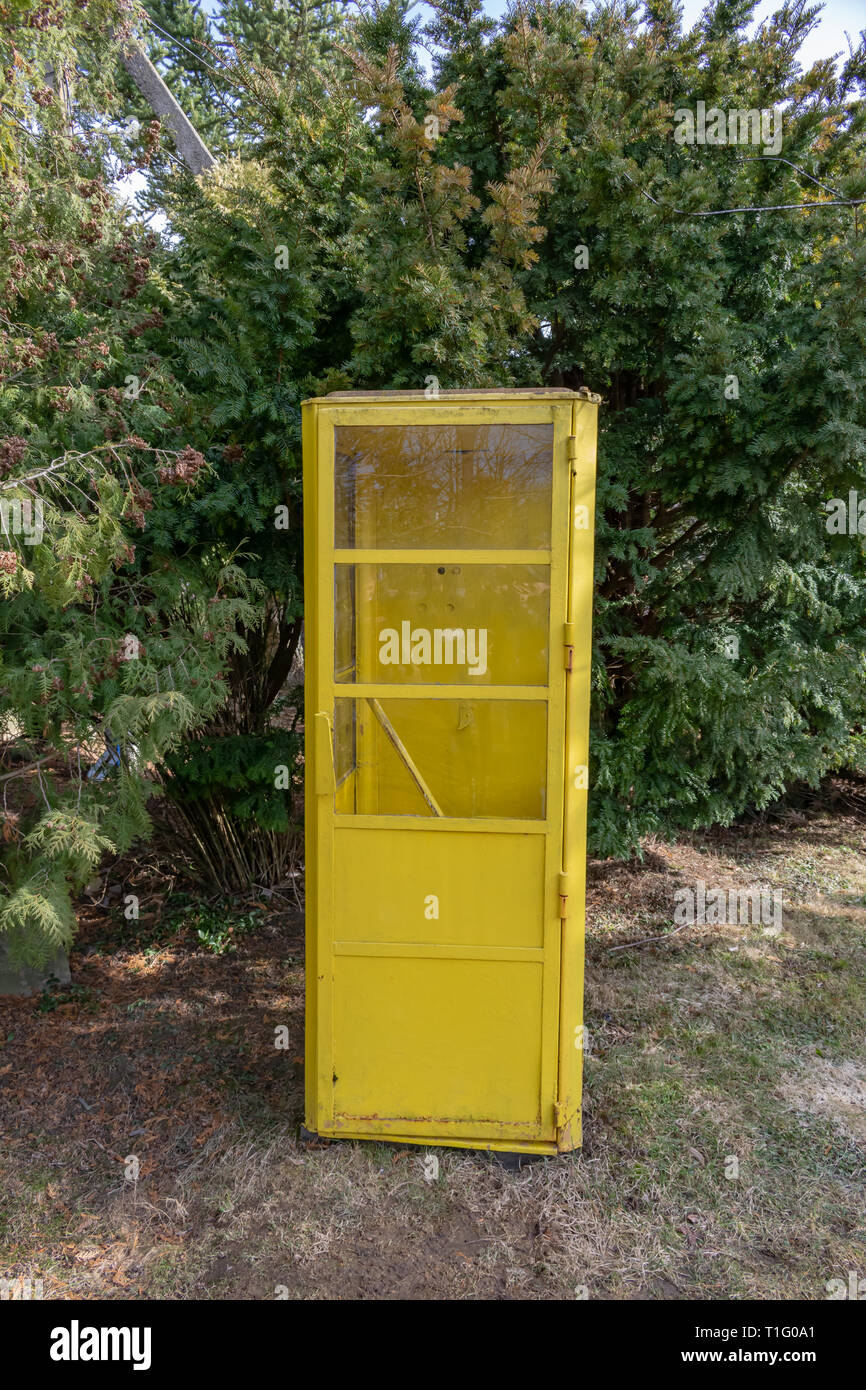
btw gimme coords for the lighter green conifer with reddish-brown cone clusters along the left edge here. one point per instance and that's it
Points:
(104, 635)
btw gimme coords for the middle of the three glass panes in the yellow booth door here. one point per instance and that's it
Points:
(443, 625)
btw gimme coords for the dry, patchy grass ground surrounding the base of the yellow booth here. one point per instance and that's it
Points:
(719, 1045)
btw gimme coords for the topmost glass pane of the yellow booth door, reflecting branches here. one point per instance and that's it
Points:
(458, 487)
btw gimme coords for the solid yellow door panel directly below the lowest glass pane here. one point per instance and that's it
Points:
(433, 890)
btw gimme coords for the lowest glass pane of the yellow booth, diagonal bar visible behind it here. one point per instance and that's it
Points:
(441, 758)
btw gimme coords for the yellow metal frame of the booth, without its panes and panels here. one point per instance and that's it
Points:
(568, 697)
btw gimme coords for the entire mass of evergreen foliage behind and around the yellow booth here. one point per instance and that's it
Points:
(376, 224)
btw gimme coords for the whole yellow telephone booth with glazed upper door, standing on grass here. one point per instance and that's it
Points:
(448, 619)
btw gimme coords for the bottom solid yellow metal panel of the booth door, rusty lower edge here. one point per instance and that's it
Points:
(401, 1025)
